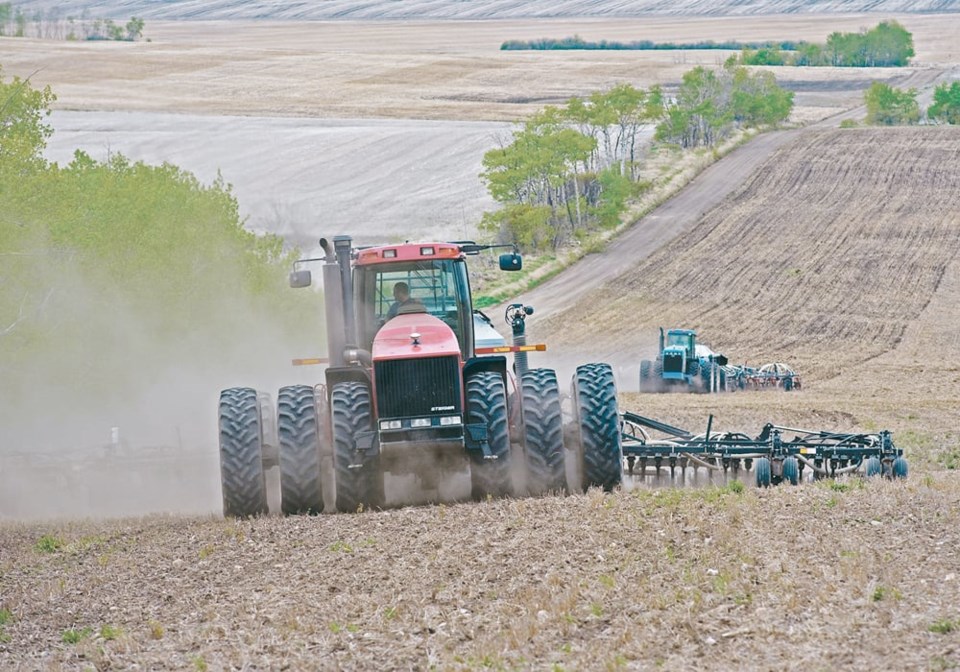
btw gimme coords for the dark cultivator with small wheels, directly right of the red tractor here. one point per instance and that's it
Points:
(777, 455)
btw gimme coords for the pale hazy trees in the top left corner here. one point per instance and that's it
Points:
(52, 25)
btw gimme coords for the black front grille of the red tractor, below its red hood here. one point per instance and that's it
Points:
(417, 387)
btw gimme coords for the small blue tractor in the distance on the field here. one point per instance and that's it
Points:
(682, 365)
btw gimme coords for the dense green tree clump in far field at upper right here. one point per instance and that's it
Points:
(889, 44)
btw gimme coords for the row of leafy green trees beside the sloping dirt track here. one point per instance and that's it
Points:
(569, 172)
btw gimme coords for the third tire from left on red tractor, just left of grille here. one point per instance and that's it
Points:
(360, 488)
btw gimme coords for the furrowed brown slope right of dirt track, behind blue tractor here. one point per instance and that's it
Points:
(823, 258)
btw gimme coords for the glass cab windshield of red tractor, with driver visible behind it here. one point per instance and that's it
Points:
(437, 286)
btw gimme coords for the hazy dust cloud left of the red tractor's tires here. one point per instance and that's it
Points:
(112, 415)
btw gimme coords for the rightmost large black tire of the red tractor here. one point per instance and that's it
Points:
(598, 422)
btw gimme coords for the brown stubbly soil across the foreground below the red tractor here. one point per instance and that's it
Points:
(850, 577)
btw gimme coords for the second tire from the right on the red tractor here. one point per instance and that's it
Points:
(543, 432)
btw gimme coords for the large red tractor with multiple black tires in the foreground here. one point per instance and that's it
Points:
(407, 392)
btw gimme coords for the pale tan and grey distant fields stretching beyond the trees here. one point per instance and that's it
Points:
(381, 141)
